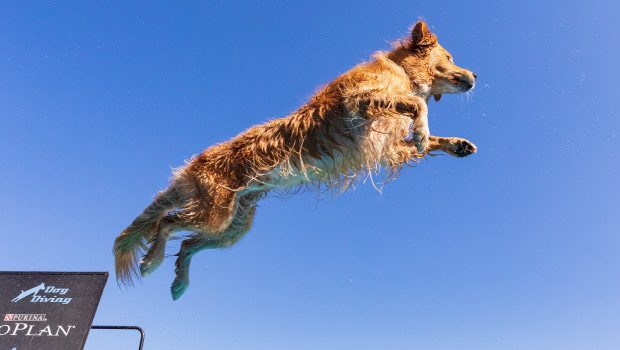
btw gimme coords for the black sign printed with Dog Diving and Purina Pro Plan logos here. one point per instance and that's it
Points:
(48, 310)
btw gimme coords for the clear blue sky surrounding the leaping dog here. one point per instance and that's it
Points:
(516, 247)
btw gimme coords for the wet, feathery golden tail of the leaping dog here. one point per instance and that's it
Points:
(131, 243)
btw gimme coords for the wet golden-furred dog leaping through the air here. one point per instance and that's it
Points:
(370, 118)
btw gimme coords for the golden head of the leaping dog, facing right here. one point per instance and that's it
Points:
(428, 64)
